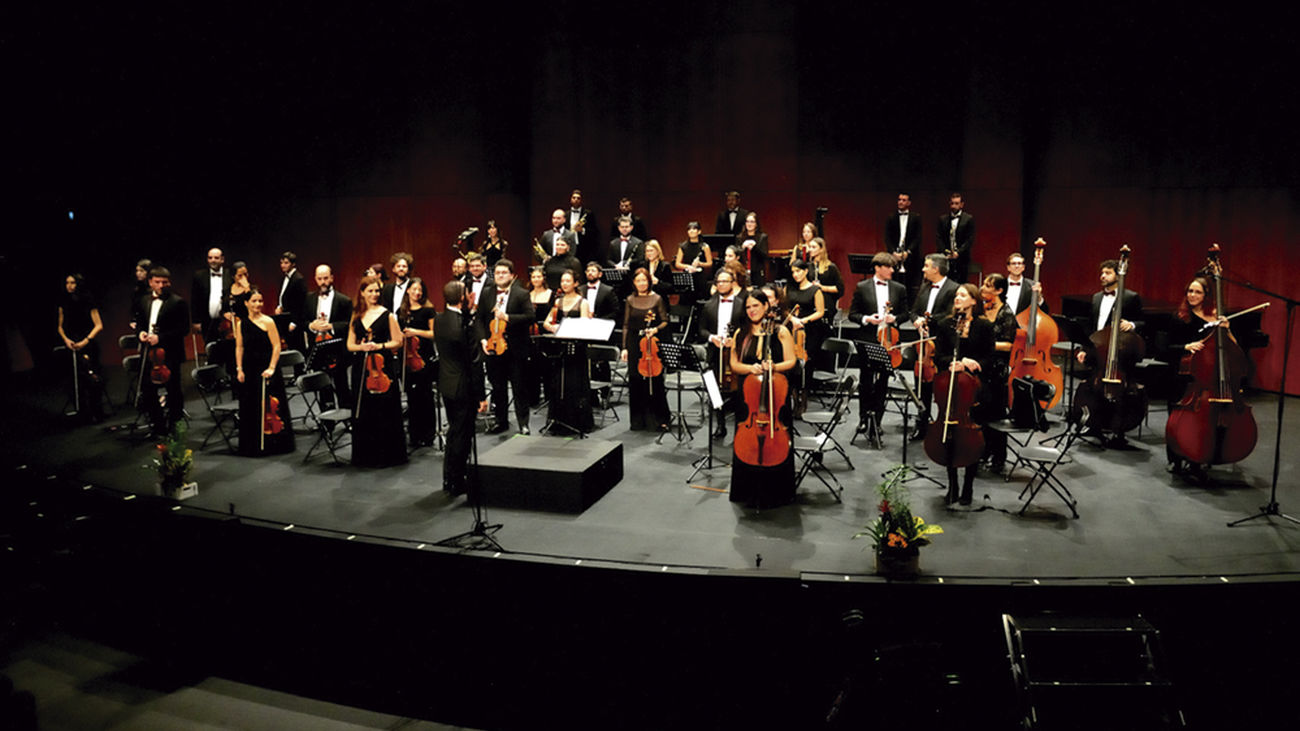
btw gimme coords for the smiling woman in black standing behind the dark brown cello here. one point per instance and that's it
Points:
(973, 340)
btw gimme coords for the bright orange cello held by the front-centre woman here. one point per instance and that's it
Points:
(762, 439)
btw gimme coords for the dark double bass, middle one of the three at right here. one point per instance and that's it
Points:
(1112, 399)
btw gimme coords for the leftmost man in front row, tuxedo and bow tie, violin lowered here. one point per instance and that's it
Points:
(164, 323)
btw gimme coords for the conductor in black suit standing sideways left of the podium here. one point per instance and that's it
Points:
(461, 382)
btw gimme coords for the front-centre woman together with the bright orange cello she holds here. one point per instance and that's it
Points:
(762, 461)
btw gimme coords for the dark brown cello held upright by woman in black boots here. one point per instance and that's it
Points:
(955, 439)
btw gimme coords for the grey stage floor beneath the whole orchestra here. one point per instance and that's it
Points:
(1136, 521)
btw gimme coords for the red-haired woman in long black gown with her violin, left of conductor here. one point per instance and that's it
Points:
(375, 336)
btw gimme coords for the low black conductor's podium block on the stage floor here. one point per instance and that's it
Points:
(551, 474)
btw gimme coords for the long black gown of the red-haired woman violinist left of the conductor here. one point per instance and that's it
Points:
(378, 435)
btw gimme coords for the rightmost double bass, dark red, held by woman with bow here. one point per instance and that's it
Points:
(1212, 425)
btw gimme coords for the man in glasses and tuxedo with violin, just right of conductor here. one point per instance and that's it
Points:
(508, 302)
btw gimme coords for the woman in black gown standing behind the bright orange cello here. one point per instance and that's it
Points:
(762, 486)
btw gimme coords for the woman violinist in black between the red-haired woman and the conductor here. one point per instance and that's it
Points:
(421, 366)
